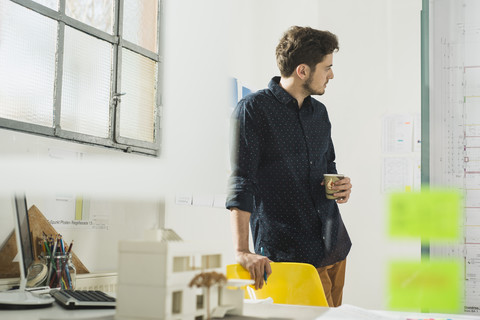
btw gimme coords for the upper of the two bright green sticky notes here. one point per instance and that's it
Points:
(433, 215)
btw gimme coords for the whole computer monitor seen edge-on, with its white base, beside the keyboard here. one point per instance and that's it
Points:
(21, 298)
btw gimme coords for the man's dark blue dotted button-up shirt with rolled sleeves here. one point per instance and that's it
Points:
(279, 155)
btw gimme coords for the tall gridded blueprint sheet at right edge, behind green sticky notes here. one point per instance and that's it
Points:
(455, 126)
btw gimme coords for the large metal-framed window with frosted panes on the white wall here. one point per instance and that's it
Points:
(83, 70)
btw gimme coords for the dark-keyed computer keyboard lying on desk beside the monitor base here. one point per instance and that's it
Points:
(74, 299)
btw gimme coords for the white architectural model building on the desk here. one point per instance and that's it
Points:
(153, 280)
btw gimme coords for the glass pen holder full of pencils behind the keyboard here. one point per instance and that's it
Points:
(61, 270)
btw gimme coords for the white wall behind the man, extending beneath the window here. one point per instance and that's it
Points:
(377, 72)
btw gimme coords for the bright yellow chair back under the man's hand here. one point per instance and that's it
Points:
(289, 283)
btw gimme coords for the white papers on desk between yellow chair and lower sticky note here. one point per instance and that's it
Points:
(349, 312)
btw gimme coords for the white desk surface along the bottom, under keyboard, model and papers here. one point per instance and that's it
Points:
(251, 311)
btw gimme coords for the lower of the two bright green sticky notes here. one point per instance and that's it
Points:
(435, 286)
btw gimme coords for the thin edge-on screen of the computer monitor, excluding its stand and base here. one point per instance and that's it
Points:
(26, 249)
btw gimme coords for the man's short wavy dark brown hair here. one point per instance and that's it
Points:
(303, 45)
